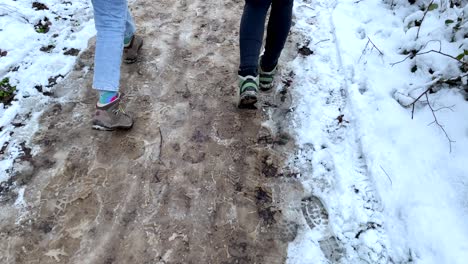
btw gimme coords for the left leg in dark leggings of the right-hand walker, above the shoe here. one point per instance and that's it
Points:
(251, 35)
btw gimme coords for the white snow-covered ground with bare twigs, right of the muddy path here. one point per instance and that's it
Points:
(395, 187)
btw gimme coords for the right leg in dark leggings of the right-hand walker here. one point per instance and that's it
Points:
(279, 25)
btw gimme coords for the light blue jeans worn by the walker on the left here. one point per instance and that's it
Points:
(114, 23)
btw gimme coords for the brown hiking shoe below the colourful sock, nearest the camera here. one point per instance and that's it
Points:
(111, 117)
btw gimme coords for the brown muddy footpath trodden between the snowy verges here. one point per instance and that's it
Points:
(195, 181)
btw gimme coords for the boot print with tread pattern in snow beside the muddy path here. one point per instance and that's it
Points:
(316, 216)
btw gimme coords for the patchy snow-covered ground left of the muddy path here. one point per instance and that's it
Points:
(40, 45)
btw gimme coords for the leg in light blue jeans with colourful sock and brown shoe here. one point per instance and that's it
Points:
(111, 19)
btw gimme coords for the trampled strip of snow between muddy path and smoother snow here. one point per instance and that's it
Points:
(343, 210)
